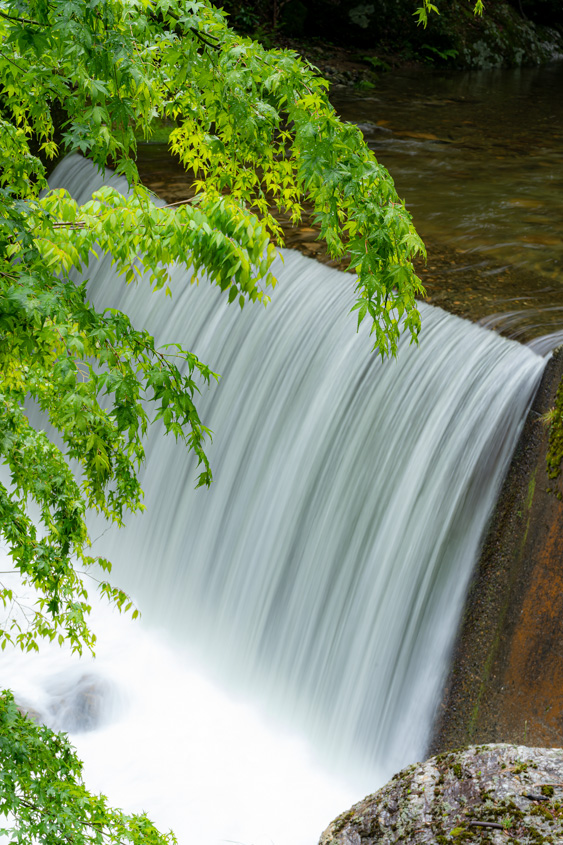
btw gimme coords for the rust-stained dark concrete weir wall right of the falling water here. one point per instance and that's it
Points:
(506, 680)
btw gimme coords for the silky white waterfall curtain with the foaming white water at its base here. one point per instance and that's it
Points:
(322, 576)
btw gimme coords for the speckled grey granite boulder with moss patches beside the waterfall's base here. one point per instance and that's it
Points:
(483, 794)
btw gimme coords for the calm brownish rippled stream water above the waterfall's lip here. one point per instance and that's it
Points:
(479, 159)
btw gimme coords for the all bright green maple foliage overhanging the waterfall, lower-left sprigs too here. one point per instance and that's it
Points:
(258, 133)
